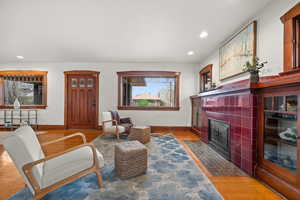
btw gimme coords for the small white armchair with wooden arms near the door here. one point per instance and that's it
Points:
(111, 126)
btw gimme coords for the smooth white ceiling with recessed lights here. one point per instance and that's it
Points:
(118, 30)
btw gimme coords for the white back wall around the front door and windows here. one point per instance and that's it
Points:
(54, 114)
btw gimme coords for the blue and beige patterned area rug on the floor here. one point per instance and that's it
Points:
(171, 175)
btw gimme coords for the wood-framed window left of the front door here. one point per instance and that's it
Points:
(30, 87)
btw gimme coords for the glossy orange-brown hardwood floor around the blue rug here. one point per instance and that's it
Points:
(231, 188)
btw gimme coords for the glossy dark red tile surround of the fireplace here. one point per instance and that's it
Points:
(238, 109)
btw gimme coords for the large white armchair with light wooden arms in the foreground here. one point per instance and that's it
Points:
(43, 174)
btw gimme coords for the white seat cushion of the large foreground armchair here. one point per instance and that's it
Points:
(68, 164)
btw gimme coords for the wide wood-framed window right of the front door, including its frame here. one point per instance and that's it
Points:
(148, 90)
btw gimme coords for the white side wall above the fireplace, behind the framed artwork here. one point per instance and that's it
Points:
(269, 42)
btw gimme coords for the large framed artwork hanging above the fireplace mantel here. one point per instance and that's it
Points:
(237, 51)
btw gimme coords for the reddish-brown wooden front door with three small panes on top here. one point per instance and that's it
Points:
(81, 99)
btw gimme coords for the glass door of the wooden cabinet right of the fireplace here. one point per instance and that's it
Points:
(280, 132)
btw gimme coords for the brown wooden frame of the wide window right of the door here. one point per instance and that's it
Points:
(175, 75)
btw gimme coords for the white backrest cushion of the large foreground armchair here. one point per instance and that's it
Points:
(28, 150)
